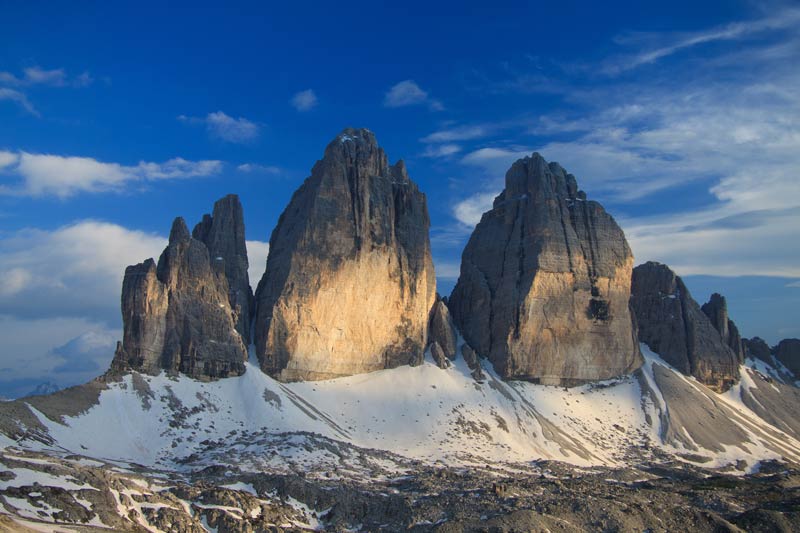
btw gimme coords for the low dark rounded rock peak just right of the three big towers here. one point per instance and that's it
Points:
(672, 324)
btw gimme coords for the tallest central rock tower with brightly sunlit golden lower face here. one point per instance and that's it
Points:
(349, 282)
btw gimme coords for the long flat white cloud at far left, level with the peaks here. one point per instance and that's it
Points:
(65, 176)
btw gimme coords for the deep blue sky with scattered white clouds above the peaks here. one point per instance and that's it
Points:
(681, 118)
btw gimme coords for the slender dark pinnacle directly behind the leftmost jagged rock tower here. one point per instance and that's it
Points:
(223, 234)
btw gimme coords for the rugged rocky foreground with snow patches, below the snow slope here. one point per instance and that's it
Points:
(72, 493)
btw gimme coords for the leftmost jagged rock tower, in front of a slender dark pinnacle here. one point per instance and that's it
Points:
(177, 314)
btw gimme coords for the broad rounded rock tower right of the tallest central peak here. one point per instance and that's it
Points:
(545, 283)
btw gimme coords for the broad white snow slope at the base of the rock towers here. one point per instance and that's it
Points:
(421, 413)
